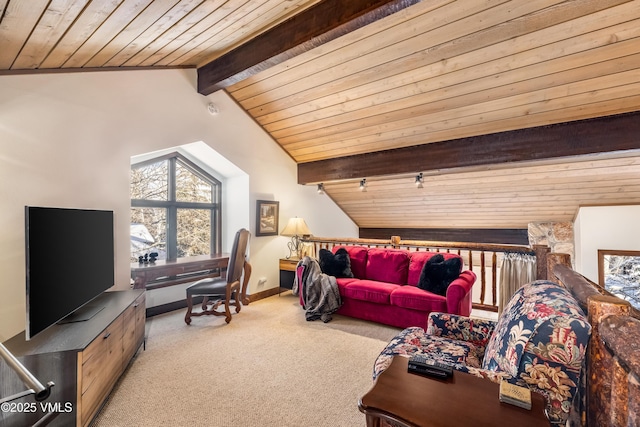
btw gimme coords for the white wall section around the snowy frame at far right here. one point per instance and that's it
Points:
(604, 227)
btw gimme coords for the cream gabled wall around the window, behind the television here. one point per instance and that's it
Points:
(66, 140)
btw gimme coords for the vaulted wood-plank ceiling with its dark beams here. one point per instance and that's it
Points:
(385, 90)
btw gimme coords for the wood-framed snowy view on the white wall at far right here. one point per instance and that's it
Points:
(619, 273)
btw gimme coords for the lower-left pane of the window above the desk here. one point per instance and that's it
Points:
(148, 232)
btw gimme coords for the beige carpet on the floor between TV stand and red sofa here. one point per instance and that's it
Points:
(268, 367)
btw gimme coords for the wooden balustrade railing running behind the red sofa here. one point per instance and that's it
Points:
(482, 259)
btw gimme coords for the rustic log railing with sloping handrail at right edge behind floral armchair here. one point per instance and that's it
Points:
(613, 368)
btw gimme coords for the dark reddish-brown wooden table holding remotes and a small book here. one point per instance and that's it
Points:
(410, 400)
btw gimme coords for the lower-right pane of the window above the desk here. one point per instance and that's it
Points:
(194, 232)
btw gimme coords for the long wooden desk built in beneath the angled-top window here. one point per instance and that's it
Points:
(142, 274)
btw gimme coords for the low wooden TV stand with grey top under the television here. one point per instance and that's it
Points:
(83, 359)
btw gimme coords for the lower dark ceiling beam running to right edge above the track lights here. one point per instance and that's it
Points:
(584, 137)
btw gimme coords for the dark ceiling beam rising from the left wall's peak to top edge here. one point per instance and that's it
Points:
(321, 23)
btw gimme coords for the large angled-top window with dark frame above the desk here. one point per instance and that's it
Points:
(175, 209)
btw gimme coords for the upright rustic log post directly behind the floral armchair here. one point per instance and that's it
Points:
(600, 364)
